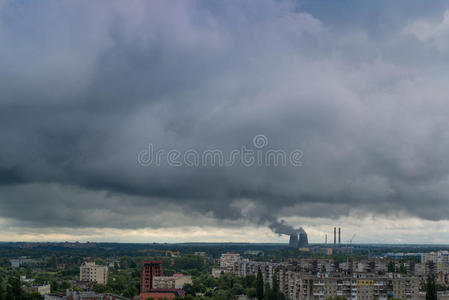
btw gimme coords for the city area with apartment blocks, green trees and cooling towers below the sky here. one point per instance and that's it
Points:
(298, 270)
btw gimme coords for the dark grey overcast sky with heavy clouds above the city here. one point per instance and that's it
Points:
(359, 88)
